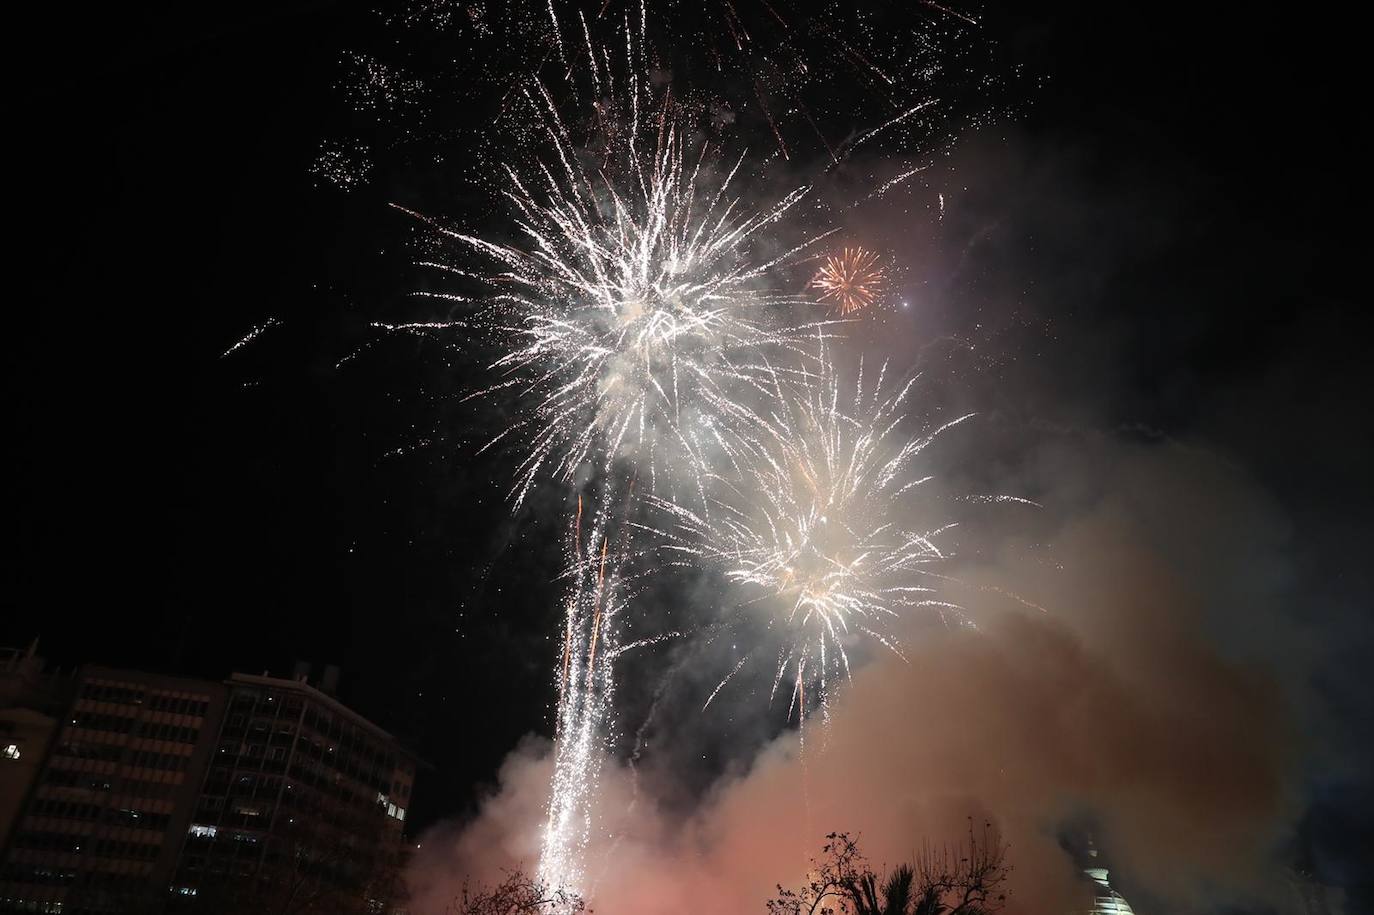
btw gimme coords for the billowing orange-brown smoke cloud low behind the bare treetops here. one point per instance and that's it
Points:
(1134, 701)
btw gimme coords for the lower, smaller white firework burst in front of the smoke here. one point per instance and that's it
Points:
(814, 527)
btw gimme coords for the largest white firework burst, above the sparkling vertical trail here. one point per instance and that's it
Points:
(633, 310)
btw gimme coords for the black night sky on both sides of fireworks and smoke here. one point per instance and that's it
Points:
(182, 512)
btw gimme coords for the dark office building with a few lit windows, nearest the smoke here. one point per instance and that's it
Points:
(303, 809)
